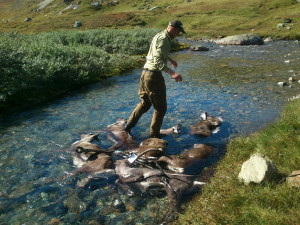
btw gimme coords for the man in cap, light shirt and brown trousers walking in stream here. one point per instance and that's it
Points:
(152, 89)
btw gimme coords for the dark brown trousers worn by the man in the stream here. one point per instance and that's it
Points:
(152, 92)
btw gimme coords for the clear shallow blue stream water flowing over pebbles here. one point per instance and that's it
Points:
(238, 83)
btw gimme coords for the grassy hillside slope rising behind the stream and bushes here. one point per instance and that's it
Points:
(201, 18)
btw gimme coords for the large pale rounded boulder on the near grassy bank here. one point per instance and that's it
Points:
(258, 169)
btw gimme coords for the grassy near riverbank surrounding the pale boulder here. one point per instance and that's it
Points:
(224, 200)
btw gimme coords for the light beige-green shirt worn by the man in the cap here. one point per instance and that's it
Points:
(158, 53)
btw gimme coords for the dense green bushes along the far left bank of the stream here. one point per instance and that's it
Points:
(40, 66)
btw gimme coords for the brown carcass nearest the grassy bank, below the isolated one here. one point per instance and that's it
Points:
(179, 163)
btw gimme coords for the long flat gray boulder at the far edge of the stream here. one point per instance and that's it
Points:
(242, 39)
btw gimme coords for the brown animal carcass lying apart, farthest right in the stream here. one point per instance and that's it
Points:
(207, 126)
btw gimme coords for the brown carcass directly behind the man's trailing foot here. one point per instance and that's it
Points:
(117, 134)
